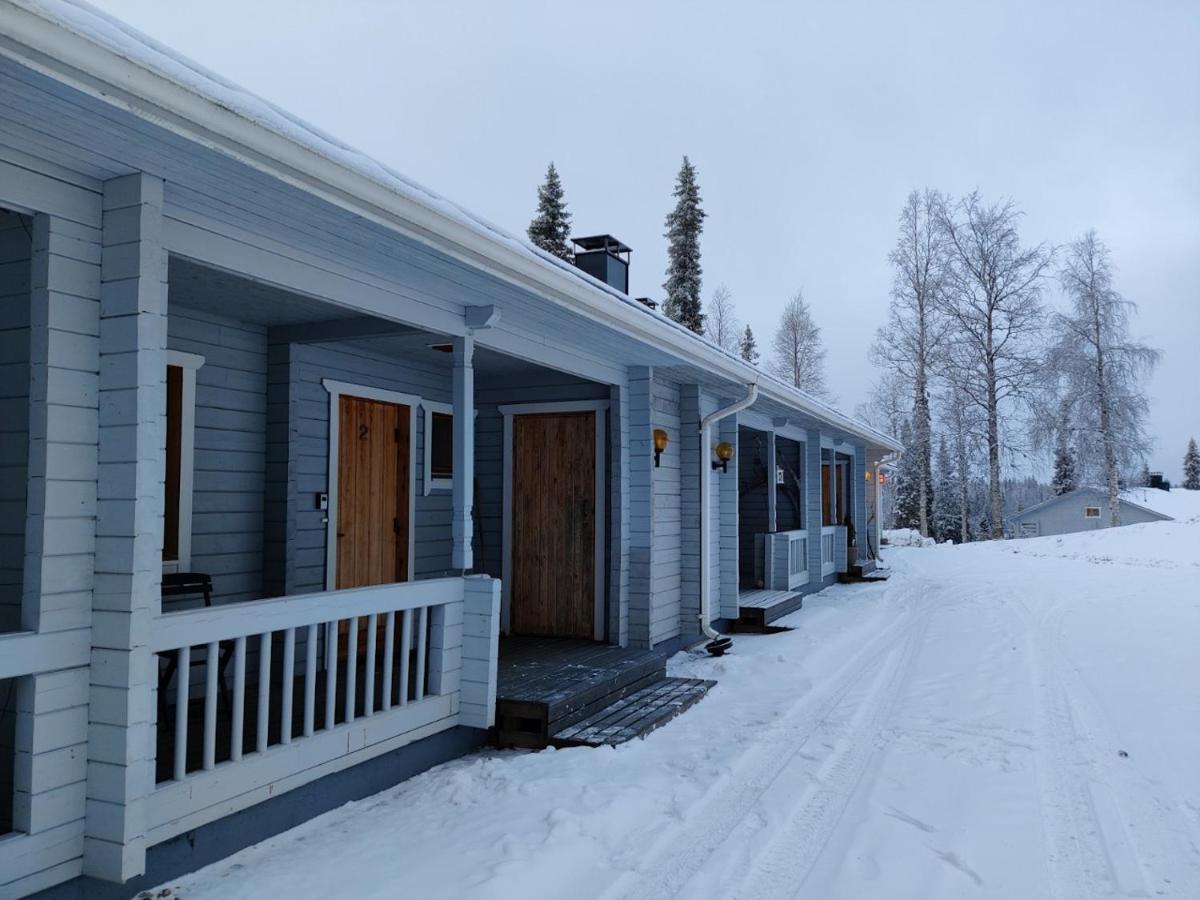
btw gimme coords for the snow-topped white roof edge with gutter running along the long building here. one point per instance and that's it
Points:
(107, 61)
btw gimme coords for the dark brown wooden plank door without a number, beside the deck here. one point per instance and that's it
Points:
(554, 525)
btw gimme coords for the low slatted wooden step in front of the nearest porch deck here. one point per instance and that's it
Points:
(635, 716)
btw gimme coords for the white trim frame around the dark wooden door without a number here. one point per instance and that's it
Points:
(584, 406)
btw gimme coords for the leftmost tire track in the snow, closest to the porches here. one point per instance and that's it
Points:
(736, 796)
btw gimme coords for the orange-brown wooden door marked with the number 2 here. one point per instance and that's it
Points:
(373, 493)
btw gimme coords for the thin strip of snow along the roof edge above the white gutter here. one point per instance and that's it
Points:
(100, 28)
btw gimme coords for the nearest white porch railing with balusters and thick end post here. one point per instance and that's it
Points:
(358, 674)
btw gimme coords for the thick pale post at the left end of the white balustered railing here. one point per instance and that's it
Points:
(129, 529)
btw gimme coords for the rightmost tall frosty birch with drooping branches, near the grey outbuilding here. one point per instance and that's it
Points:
(1101, 368)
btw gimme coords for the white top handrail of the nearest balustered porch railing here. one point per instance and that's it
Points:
(227, 622)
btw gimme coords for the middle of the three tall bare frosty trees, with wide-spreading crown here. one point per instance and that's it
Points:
(992, 299)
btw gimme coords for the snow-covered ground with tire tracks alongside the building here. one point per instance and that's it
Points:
(1006, 721)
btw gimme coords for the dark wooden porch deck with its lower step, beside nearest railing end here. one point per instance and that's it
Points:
(568, 693)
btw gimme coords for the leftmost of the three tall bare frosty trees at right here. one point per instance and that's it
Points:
(913, 337)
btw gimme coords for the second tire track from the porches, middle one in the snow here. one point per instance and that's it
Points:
(796, 844)
